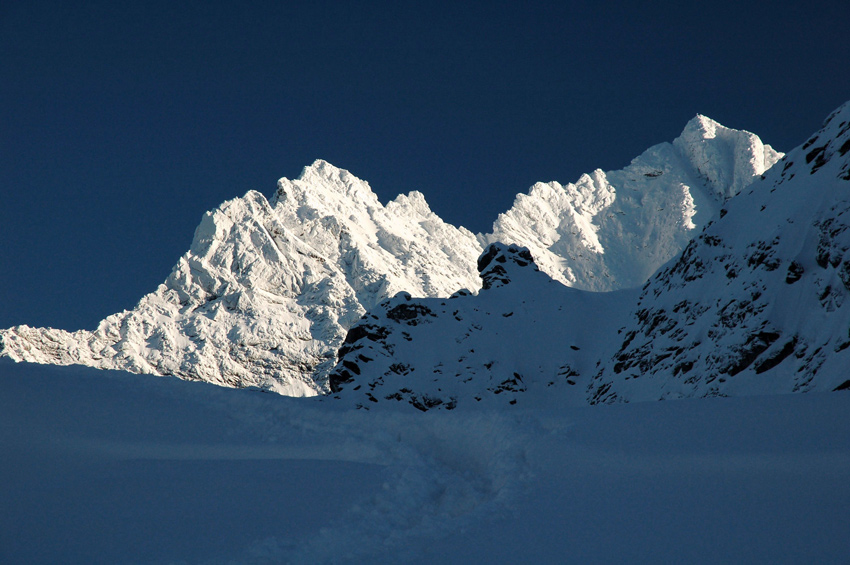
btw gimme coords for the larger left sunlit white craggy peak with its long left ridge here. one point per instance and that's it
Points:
(267, 291)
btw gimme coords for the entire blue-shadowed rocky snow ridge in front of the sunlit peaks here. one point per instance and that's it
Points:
(756, 304)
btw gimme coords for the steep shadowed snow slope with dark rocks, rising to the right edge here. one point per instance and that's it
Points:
(758, 303)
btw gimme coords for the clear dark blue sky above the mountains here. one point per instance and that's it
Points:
(121, 123)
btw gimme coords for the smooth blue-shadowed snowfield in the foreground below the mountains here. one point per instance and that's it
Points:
(107, 467)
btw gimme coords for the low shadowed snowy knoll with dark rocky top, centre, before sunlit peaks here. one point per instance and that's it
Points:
(501, 346)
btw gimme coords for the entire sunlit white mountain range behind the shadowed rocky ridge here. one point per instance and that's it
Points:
(268, 289)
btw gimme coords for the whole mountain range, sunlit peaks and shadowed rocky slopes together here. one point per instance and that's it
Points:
(604, 290)
